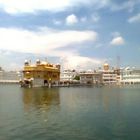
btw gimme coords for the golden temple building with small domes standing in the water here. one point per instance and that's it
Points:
(40, 74)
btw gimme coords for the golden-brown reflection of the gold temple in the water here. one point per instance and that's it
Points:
(40, 97)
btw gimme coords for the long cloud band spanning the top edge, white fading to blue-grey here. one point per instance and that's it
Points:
(32, 6)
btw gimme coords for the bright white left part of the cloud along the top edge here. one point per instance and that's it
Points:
(31, 6)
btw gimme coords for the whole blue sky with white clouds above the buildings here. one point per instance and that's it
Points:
(77, 34)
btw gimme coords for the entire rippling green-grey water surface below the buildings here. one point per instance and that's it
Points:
(75, 113)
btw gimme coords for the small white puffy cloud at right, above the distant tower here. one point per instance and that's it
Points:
(117, 41)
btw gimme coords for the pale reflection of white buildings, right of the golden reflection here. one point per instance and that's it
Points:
(103, 99)
